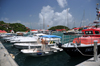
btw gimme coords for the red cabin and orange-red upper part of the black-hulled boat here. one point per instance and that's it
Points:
(89, 36)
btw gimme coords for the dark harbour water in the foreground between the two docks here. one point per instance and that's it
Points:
(58, 59)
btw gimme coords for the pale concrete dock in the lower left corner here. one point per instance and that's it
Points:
(5, 58)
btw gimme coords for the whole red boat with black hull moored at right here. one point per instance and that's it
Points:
(83, 45)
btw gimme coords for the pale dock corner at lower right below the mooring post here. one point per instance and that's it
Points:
(90, 62)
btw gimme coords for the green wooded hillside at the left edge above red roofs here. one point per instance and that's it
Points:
(15, 26)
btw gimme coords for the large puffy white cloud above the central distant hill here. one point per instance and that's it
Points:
(52, 18)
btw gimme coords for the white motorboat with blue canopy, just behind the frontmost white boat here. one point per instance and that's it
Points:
(51, 41)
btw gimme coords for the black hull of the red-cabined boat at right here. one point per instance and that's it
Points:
(85, 51)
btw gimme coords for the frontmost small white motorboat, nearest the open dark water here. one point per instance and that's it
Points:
(36, 52)
